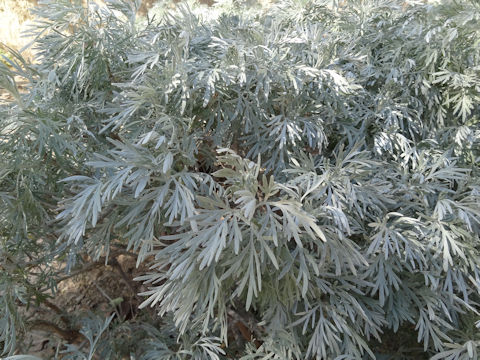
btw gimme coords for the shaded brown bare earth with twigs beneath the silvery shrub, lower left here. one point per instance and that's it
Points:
(102, 289)
